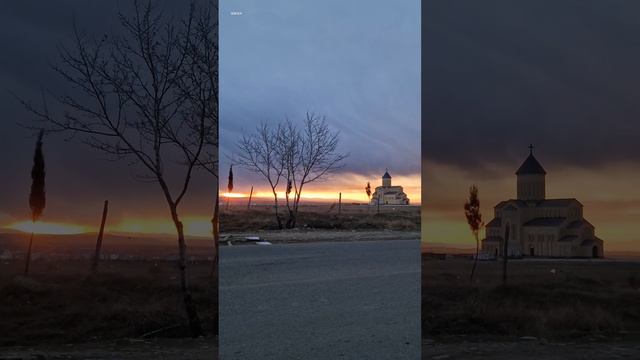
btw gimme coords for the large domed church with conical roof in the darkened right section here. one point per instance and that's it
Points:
(536, 226)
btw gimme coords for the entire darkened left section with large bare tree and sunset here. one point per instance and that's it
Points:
(109, 156)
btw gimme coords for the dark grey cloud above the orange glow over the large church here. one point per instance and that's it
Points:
(498, 75)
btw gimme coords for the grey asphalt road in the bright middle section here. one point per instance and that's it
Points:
(353, 300)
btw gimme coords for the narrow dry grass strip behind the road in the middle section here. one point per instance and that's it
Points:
(324, 217)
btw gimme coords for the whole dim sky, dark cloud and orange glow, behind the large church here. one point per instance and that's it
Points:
(564, 76)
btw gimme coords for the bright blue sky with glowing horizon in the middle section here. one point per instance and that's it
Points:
(357, 63)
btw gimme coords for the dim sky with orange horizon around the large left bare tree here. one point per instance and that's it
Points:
(78, 179)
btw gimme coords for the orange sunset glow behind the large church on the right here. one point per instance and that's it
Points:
(610, 198)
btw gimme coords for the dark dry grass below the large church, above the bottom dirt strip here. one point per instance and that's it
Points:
(575, 300)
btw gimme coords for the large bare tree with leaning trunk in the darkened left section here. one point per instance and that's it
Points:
(146, 95)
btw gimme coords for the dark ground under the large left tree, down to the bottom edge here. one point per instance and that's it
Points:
(129, 310)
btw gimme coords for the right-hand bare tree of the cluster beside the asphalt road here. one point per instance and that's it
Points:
(314, 155)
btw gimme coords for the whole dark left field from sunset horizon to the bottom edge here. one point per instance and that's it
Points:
(133, 302)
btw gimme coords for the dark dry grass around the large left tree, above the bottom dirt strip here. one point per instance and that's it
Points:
(59, 303)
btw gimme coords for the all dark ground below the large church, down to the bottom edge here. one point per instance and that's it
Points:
(587, 309)
